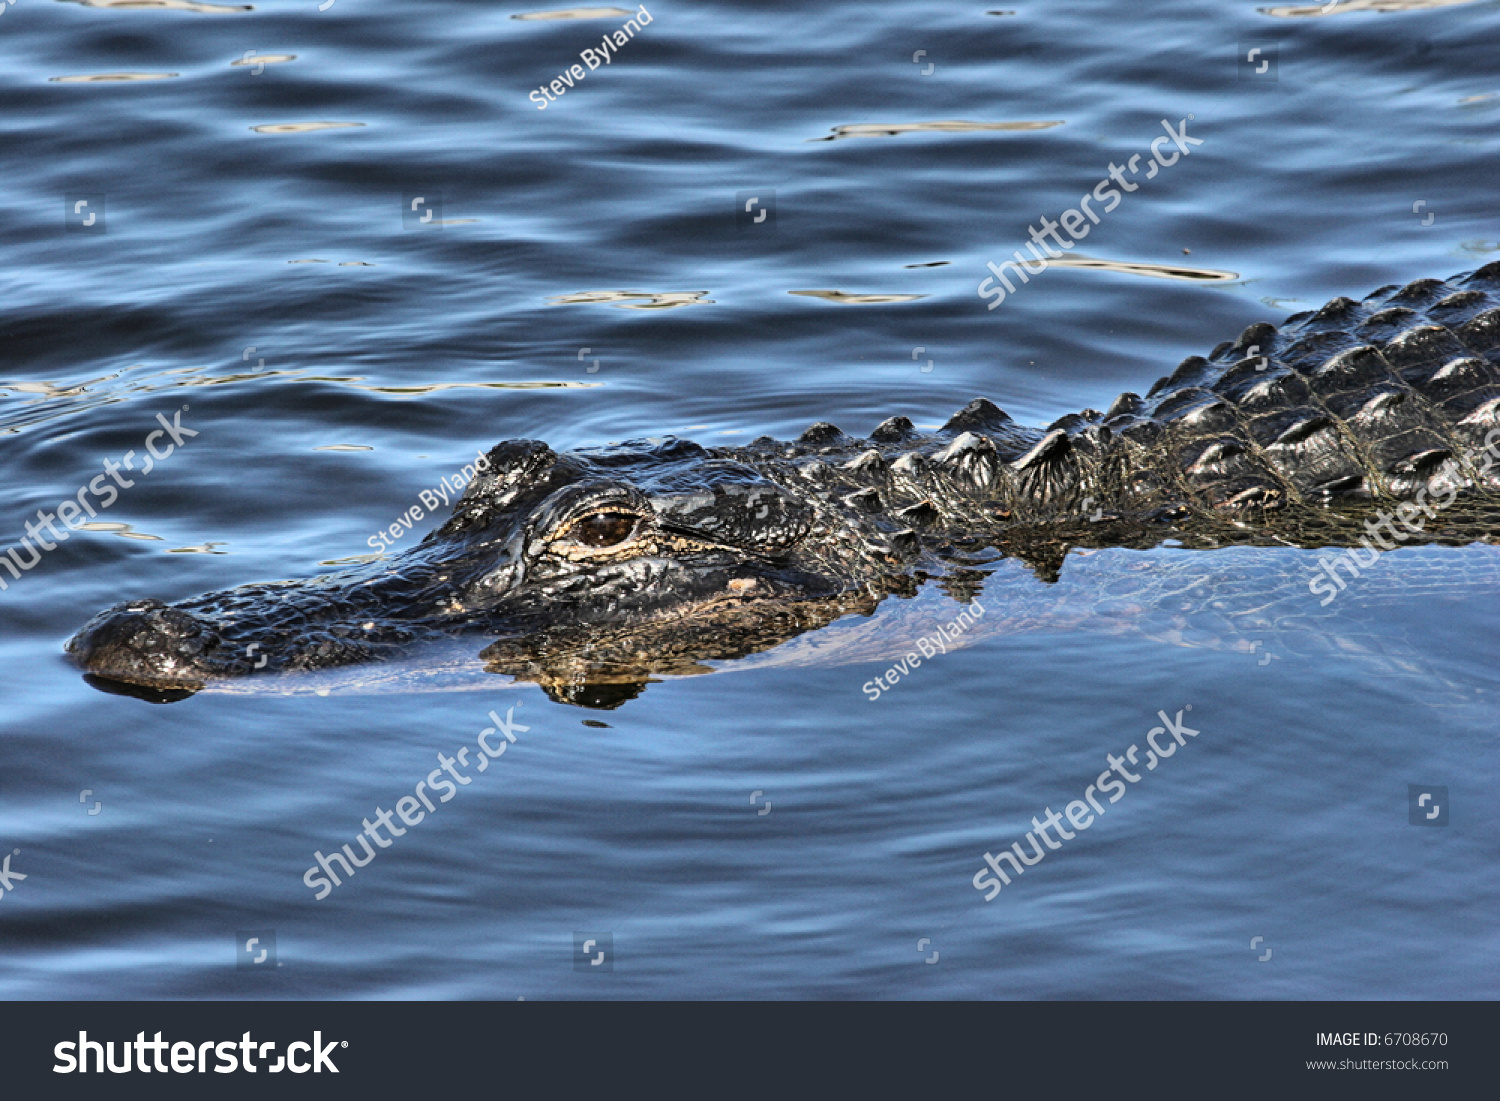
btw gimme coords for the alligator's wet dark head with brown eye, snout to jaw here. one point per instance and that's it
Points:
(587, 572)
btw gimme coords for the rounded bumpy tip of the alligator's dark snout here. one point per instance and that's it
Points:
(146, 644)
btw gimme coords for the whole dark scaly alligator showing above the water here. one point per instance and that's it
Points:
(590, 571)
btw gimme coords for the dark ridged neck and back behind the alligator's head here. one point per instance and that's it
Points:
(1358, 400)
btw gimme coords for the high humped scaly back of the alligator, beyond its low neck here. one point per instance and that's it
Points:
(1355, 400)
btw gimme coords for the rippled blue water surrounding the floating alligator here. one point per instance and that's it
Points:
(767, 832)
